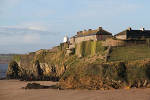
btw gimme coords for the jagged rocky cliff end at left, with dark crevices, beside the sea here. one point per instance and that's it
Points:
(40, 65)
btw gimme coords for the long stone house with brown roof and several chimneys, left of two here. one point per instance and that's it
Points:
(86, 35)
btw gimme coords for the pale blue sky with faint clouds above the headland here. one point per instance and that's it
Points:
(30, 25)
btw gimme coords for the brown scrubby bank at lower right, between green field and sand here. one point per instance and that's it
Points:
(108, 76)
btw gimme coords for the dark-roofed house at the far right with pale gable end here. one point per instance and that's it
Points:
(133, 34)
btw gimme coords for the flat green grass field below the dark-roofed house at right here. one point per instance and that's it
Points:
(130, 53)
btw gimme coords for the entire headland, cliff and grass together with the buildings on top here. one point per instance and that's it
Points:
(90, 58)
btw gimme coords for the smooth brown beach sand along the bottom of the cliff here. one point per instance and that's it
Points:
(12, 90)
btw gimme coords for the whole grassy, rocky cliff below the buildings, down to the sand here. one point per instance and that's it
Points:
(90, 66)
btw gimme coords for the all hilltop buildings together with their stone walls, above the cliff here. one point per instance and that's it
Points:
(124, 38)
